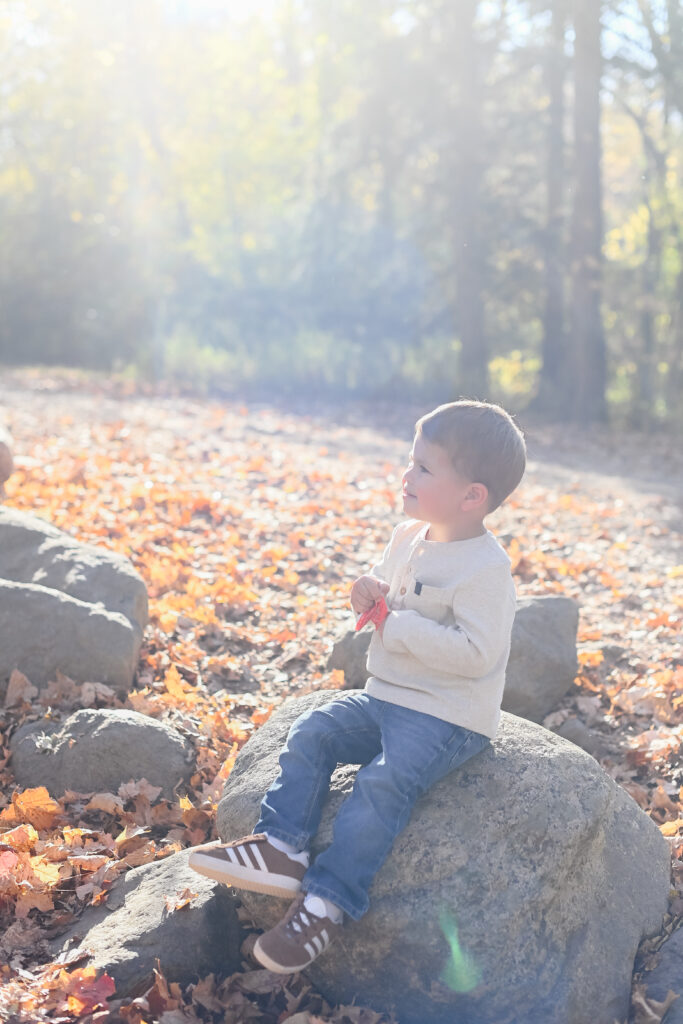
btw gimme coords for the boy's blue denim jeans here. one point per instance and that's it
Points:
(403, 752)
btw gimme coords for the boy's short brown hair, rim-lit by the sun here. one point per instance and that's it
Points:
(483, 442)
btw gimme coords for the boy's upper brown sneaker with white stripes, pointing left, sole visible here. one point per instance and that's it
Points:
(249, 864)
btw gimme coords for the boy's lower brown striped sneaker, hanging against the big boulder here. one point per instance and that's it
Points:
(296, 942)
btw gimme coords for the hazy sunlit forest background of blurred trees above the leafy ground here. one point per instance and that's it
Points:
(367, 198)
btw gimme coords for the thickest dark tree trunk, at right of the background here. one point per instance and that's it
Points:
(588, 359)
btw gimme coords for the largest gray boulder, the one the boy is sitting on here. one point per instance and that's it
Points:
(544, 873)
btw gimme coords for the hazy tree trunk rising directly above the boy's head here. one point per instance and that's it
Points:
(468, 250)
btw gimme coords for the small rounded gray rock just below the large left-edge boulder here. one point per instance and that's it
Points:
(98, 751)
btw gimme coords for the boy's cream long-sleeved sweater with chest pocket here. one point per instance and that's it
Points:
(447, 639)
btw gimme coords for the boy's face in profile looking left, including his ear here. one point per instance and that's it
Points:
(435, 491)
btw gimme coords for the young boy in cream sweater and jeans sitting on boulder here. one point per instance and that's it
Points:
(433, 702)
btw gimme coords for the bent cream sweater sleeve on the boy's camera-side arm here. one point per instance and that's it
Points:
(485, 613)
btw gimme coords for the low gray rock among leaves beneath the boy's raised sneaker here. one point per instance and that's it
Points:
(137, 926)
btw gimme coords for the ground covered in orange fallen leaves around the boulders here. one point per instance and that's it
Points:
(249, 525)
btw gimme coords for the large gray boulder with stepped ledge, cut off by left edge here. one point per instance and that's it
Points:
(67, 607)
